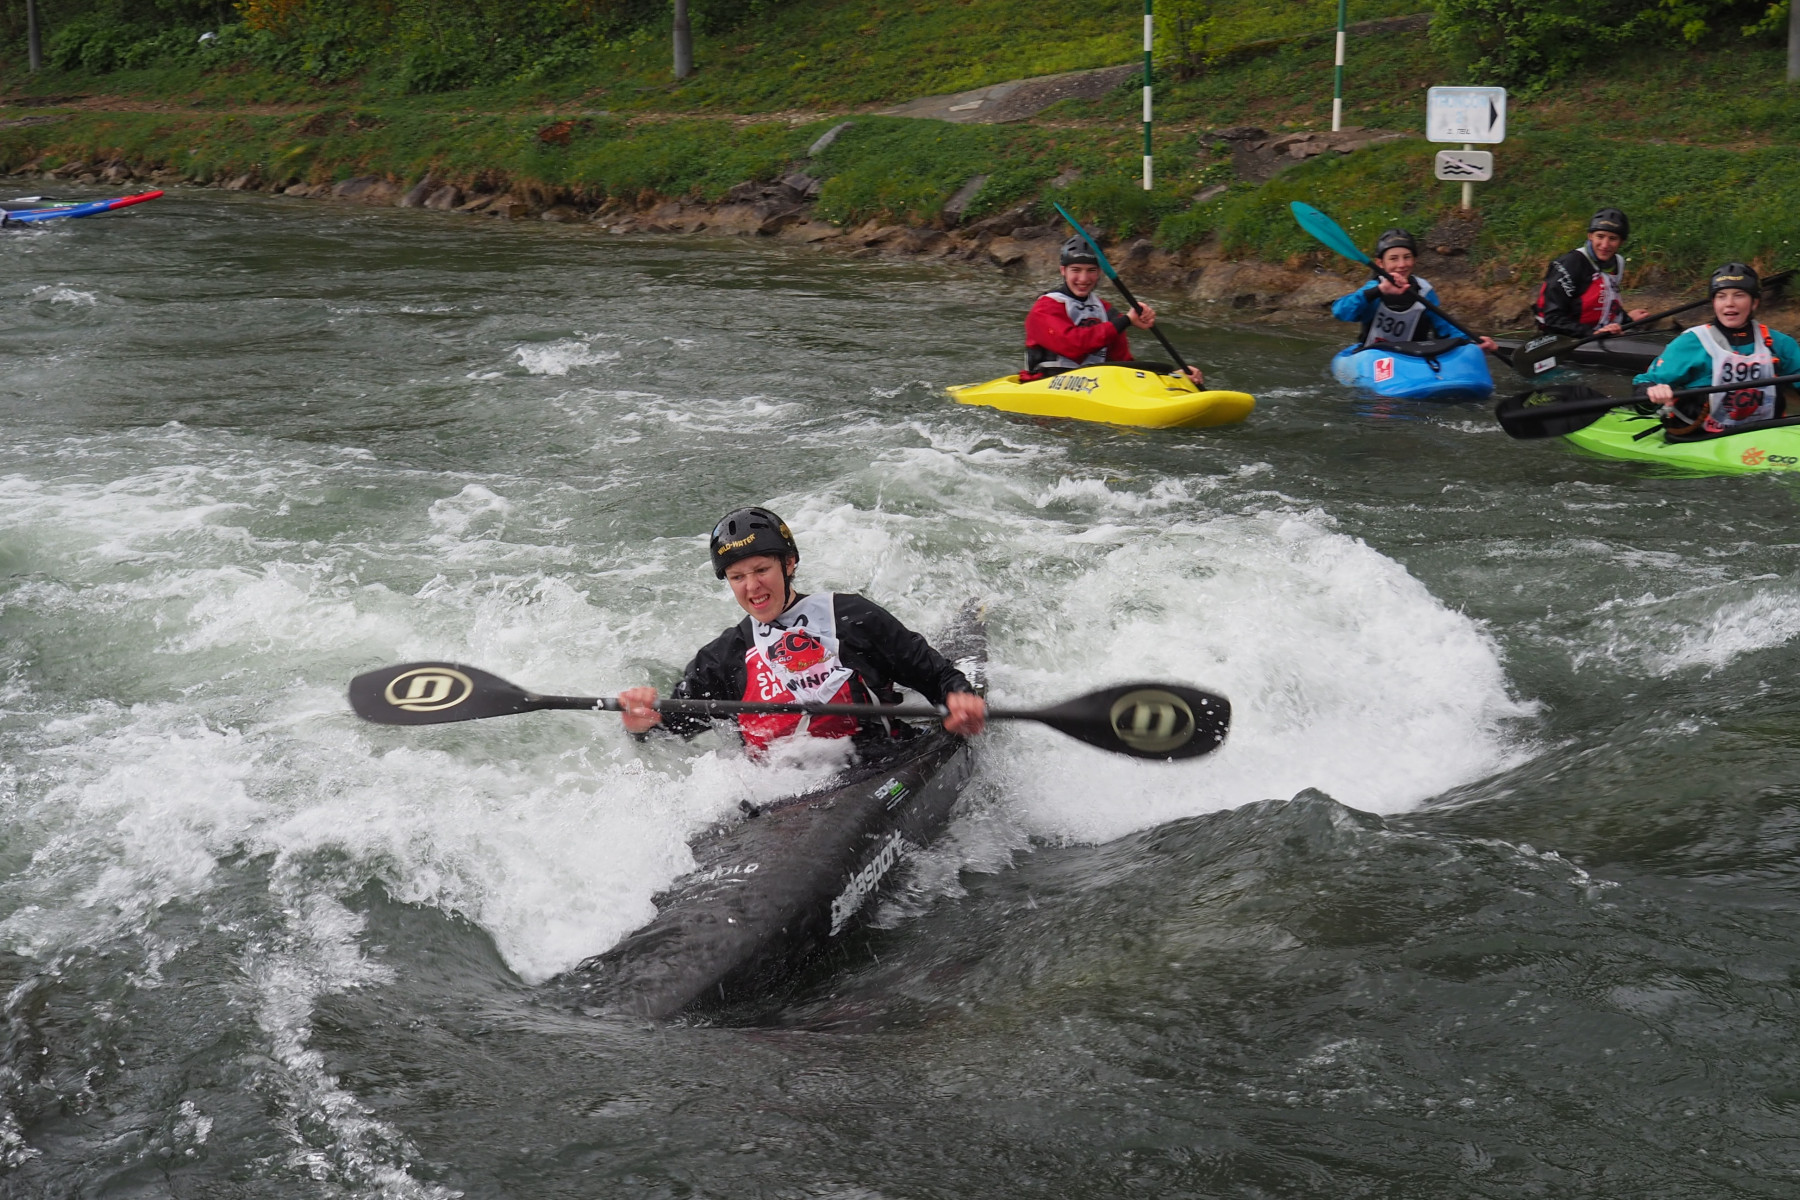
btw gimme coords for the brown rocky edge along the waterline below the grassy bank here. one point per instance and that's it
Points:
(1014, 242)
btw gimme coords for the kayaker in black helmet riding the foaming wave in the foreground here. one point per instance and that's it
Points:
(822, 649)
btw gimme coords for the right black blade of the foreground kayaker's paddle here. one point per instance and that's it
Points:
(1144, 721)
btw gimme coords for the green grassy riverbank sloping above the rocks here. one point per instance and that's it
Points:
(1704, 148)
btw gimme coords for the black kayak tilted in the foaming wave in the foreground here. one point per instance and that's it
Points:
(791, 881)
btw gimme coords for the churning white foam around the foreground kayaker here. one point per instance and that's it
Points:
(553, 832)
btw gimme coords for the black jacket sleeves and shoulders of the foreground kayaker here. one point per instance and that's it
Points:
(870, 641)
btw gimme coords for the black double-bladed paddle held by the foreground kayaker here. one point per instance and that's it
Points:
(1142, 721)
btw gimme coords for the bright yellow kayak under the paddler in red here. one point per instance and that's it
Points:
(1115, 395)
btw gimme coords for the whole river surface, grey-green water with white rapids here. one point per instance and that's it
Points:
(1491, 893)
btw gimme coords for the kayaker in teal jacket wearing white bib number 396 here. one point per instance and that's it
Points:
(1734, 348)
